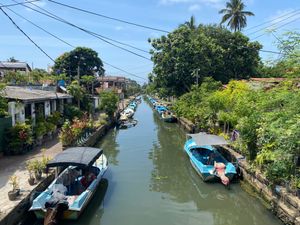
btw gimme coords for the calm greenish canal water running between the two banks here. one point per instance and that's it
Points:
(151, 181)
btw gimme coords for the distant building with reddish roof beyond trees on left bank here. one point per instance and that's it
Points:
(113, 83)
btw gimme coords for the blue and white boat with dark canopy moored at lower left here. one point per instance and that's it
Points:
(76, 185)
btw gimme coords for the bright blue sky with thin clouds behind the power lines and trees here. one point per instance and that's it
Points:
(161, 14)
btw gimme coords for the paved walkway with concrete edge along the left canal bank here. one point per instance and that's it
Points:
(16, 212)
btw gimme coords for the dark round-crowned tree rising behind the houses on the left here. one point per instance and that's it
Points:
(81, 59)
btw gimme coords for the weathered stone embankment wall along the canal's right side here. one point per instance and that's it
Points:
(278, 199)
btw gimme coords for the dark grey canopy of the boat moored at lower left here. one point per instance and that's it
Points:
(76, 156)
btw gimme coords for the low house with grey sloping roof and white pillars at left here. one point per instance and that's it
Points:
(29, 103)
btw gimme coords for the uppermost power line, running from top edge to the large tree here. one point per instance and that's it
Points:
(109, 17)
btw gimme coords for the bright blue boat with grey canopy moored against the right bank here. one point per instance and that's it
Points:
(206, 160)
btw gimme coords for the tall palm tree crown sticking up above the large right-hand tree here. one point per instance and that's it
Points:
(235, 14)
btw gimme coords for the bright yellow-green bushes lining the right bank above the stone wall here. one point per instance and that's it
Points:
(268, 121)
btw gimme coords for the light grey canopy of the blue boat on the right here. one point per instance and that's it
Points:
(203, 138)
